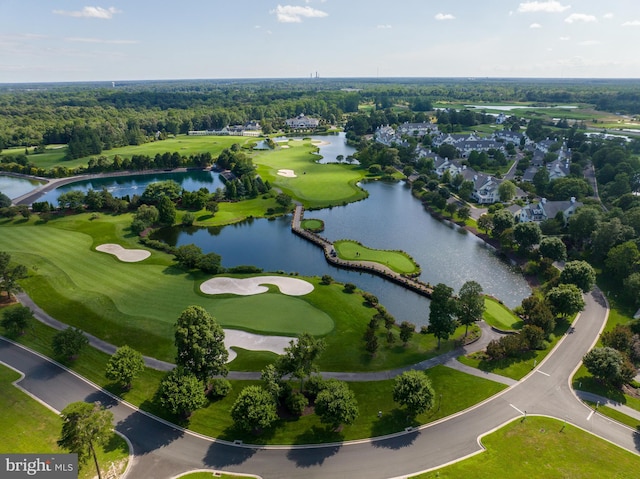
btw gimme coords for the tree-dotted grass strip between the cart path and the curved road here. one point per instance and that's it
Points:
(455, 391)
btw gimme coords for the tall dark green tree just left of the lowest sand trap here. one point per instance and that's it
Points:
(200, 343)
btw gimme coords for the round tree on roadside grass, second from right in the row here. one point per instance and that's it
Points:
(336, 404)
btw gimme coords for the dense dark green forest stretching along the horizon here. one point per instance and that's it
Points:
(91, 117)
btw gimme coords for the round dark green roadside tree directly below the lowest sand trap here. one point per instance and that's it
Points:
(254, 409)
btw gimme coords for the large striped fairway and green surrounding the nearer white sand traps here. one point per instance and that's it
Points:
(138, 303)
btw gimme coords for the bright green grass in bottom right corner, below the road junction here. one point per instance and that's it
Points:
(542, 448)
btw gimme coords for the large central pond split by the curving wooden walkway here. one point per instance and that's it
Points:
(389, 219)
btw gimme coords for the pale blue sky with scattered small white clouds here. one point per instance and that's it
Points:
(117, 40)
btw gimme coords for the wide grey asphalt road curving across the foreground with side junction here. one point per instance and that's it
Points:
(163, 451)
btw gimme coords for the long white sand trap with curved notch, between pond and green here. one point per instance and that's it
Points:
(249, 286)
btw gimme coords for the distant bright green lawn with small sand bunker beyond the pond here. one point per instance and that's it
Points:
(315, 185)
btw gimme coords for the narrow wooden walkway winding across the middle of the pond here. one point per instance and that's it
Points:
(331, 256)
